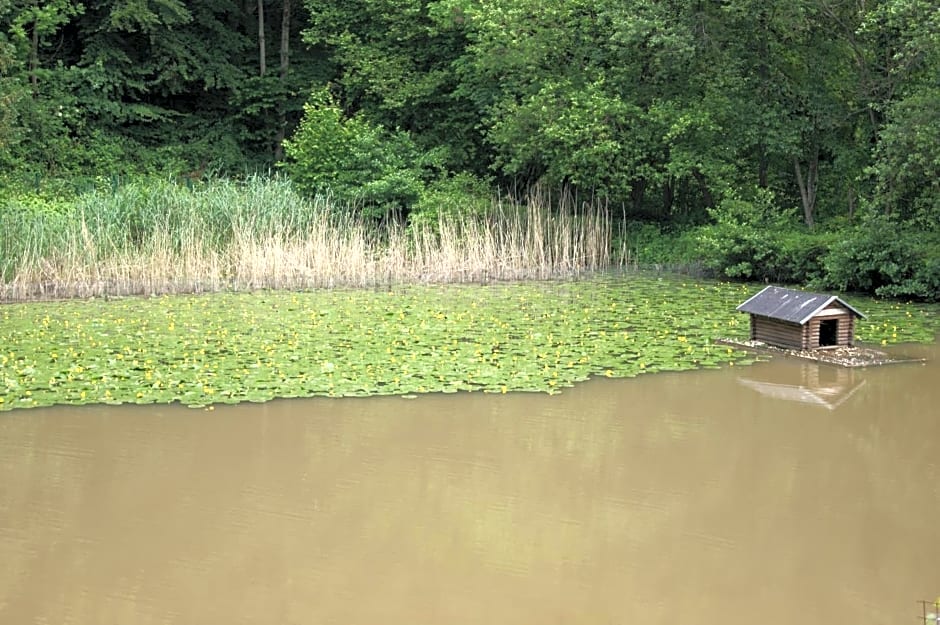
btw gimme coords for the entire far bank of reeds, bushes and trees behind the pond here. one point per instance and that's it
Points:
(793, 141)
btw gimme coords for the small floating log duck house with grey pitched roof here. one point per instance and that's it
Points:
(799, 320)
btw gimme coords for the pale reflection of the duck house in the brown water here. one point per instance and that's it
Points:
(821, 385)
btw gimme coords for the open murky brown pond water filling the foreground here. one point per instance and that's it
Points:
(779, 493)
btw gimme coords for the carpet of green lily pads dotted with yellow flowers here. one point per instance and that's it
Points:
(234, 347)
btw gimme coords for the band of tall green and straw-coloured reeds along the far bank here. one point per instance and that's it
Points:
(160, 237)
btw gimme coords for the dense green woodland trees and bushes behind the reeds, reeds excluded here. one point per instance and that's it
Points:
(793, 140)
